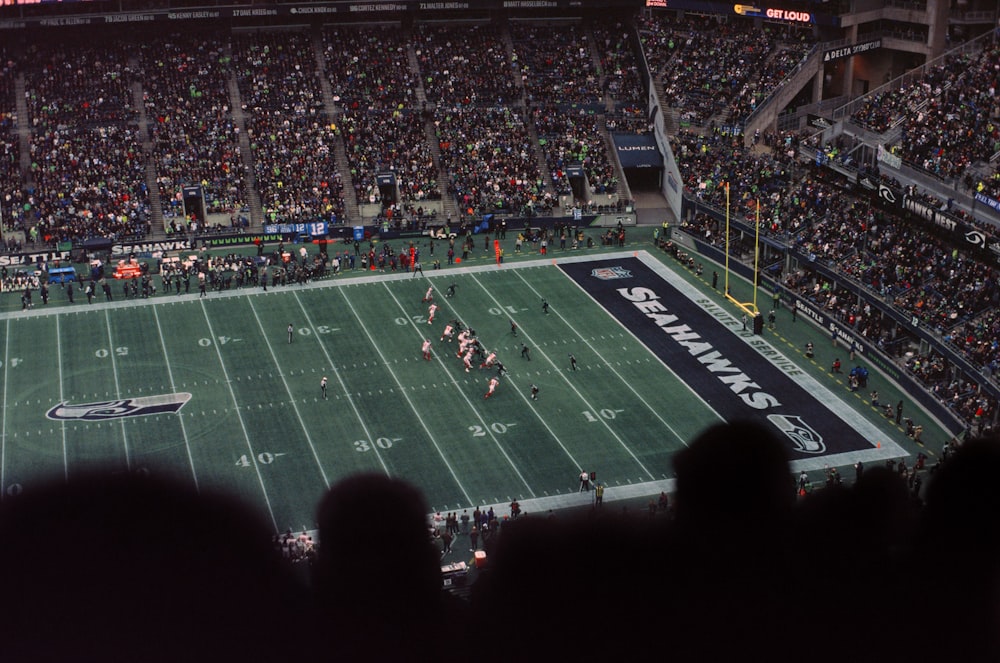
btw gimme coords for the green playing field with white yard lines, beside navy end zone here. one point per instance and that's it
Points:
(211, 391)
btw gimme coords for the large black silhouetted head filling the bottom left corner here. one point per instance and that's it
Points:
(136, 569)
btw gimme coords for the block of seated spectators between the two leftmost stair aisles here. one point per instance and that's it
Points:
(88, 168)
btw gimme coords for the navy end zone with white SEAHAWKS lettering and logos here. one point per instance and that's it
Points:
(733, 375)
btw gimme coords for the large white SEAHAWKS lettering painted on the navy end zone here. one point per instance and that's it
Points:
(751, 393)
